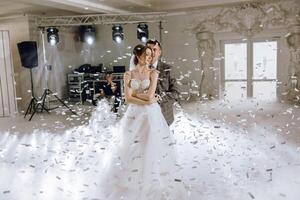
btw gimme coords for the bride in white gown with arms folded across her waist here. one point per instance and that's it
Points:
(143, 164)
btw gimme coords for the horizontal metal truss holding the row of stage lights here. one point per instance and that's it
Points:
(77, 20)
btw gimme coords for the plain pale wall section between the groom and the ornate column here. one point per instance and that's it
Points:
(180, 49)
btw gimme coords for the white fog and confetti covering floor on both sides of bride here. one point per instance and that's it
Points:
(239, 151)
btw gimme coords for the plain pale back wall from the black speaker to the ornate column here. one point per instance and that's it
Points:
(179, 49)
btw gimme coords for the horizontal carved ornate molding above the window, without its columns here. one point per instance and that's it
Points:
(247, 19)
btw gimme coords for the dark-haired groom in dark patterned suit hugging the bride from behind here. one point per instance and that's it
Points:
(166, 85)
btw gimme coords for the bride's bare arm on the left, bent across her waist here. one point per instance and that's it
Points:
(129, 93)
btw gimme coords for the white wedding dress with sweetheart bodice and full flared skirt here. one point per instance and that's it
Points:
(142, 164)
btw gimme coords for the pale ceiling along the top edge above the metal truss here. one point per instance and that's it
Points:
(65, 7)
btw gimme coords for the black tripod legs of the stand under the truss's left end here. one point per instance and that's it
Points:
(41, 103)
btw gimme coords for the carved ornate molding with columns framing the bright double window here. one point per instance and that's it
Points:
(247, 19)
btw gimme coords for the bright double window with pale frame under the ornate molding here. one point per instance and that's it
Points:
(250, 70)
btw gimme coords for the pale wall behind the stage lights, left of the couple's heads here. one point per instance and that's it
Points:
(70, 53)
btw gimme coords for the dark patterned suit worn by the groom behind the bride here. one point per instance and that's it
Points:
(167, 89)
